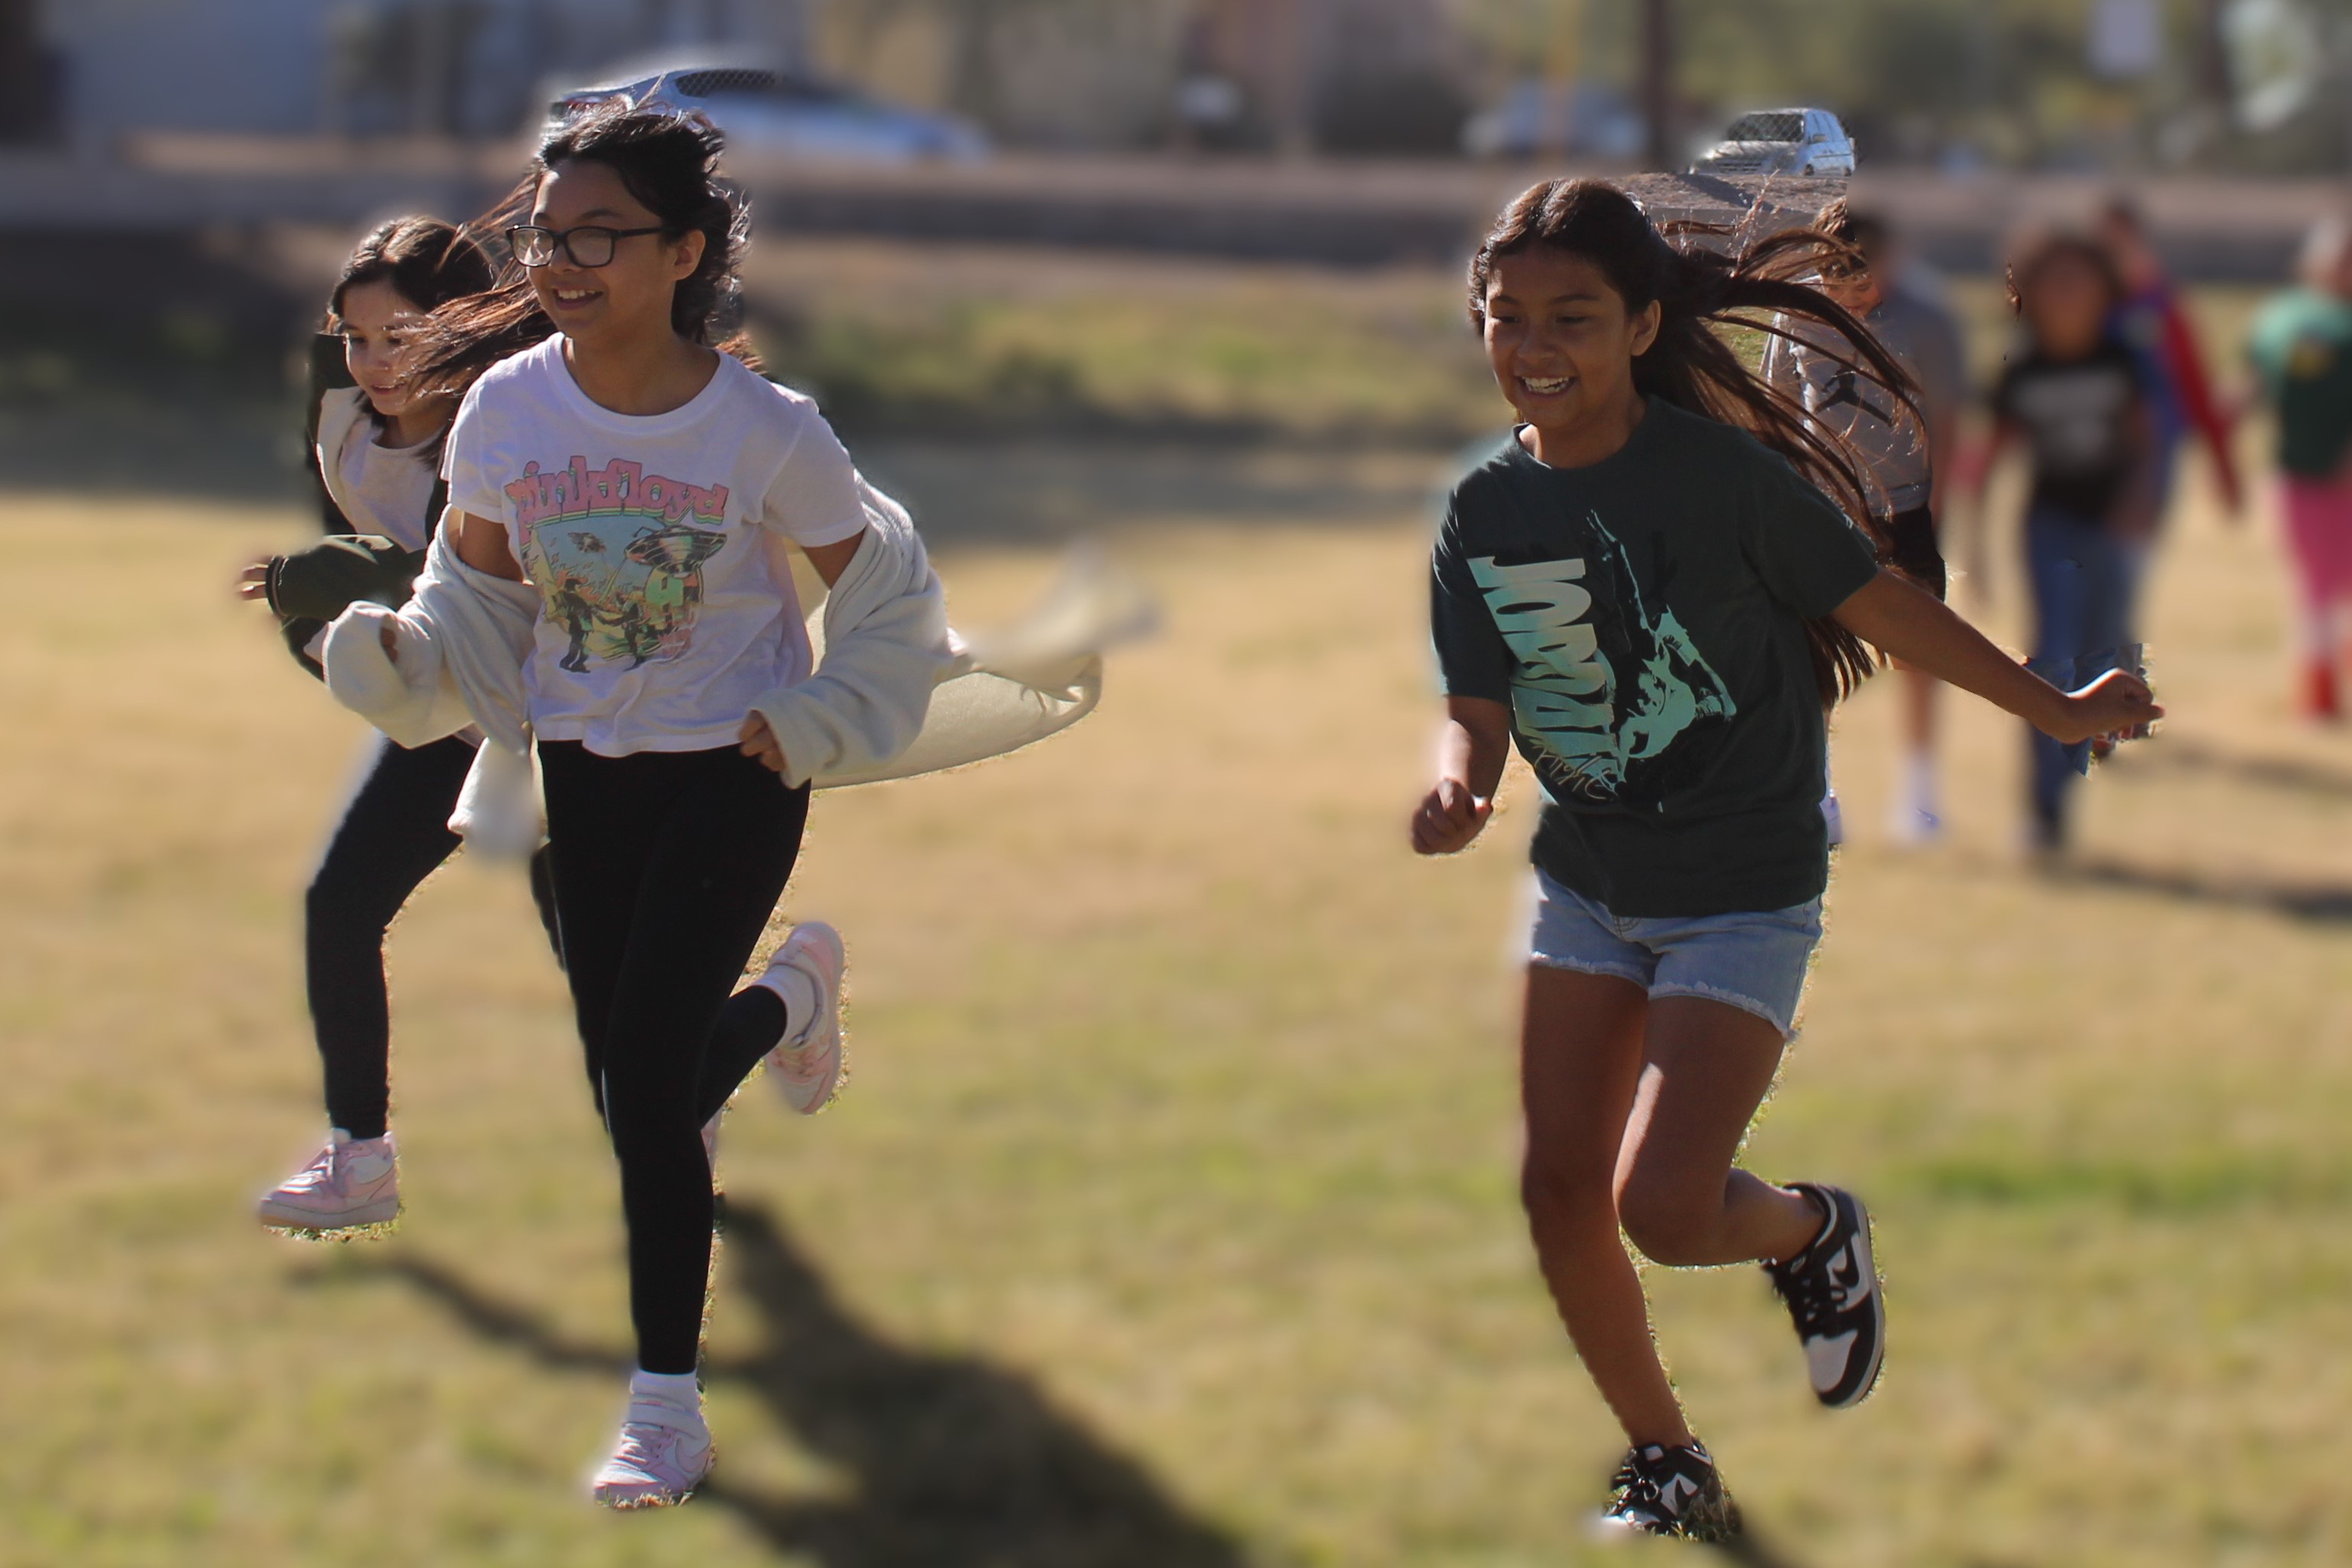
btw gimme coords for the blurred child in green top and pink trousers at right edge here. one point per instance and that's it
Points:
(2301, 354)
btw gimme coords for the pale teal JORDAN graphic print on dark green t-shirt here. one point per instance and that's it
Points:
(1605, 690)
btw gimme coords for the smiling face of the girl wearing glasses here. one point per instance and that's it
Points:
(627, 297)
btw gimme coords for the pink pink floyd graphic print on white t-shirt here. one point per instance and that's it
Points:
(617, 556)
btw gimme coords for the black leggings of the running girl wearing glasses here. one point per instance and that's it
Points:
(667, 869)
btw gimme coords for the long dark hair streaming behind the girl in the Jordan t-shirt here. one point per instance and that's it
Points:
(1692, 366)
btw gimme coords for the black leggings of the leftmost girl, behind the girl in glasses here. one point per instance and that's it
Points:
(392, 838)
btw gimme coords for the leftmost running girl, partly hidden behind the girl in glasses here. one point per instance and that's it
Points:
(375, 450)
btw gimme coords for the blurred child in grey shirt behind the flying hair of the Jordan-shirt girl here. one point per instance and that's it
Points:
(1904, 450)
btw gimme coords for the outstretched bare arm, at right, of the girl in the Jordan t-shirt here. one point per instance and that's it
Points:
(1911, 624)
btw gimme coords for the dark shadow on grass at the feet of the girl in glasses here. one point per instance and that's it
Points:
(956, 1463)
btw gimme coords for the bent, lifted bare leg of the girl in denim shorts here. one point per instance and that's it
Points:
(1683, 1202)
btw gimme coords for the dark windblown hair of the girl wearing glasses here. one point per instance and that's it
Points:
(669, 163)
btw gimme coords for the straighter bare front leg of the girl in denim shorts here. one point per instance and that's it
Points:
(1579, 1071)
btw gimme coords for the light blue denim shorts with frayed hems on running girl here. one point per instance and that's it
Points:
(1753, 960)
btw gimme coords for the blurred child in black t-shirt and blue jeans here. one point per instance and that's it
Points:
(2078, 401)
